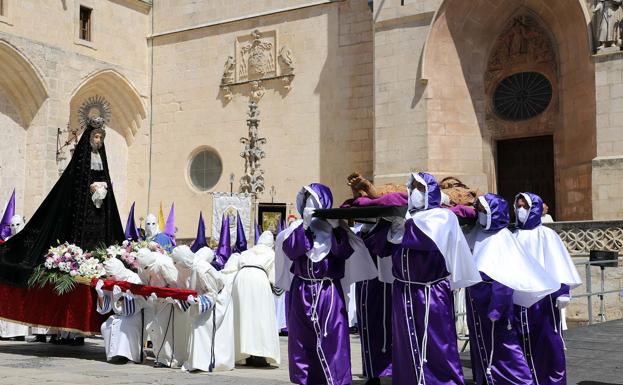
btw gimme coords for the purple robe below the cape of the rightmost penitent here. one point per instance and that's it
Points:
(541, 338)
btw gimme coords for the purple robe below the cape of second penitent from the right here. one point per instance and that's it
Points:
(492, 300)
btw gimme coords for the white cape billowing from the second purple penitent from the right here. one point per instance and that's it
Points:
(500, 256)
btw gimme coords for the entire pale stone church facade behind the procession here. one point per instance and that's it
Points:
(506, 95)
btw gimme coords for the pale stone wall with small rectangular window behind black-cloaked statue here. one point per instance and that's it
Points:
(40, 46)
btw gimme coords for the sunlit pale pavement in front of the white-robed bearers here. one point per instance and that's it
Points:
(36, 363)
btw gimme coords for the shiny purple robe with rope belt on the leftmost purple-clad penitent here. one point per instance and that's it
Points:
(318, 339)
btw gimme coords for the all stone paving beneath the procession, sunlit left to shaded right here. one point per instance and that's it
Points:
(594, 357)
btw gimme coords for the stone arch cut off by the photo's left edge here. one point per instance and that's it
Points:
(22, 95)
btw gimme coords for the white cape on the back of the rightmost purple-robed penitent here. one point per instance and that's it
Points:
(543, 244)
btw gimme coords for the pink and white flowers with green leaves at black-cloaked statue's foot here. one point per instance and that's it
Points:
(64, 265)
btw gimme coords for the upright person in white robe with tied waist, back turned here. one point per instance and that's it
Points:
(253, 299)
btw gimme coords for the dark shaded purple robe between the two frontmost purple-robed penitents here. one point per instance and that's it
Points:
(374, 309)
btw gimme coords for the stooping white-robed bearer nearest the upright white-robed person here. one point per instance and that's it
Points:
(210, 315)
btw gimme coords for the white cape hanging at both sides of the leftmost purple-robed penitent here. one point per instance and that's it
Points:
(359, 267)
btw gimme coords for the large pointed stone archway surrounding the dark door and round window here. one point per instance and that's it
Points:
(455, 63)
